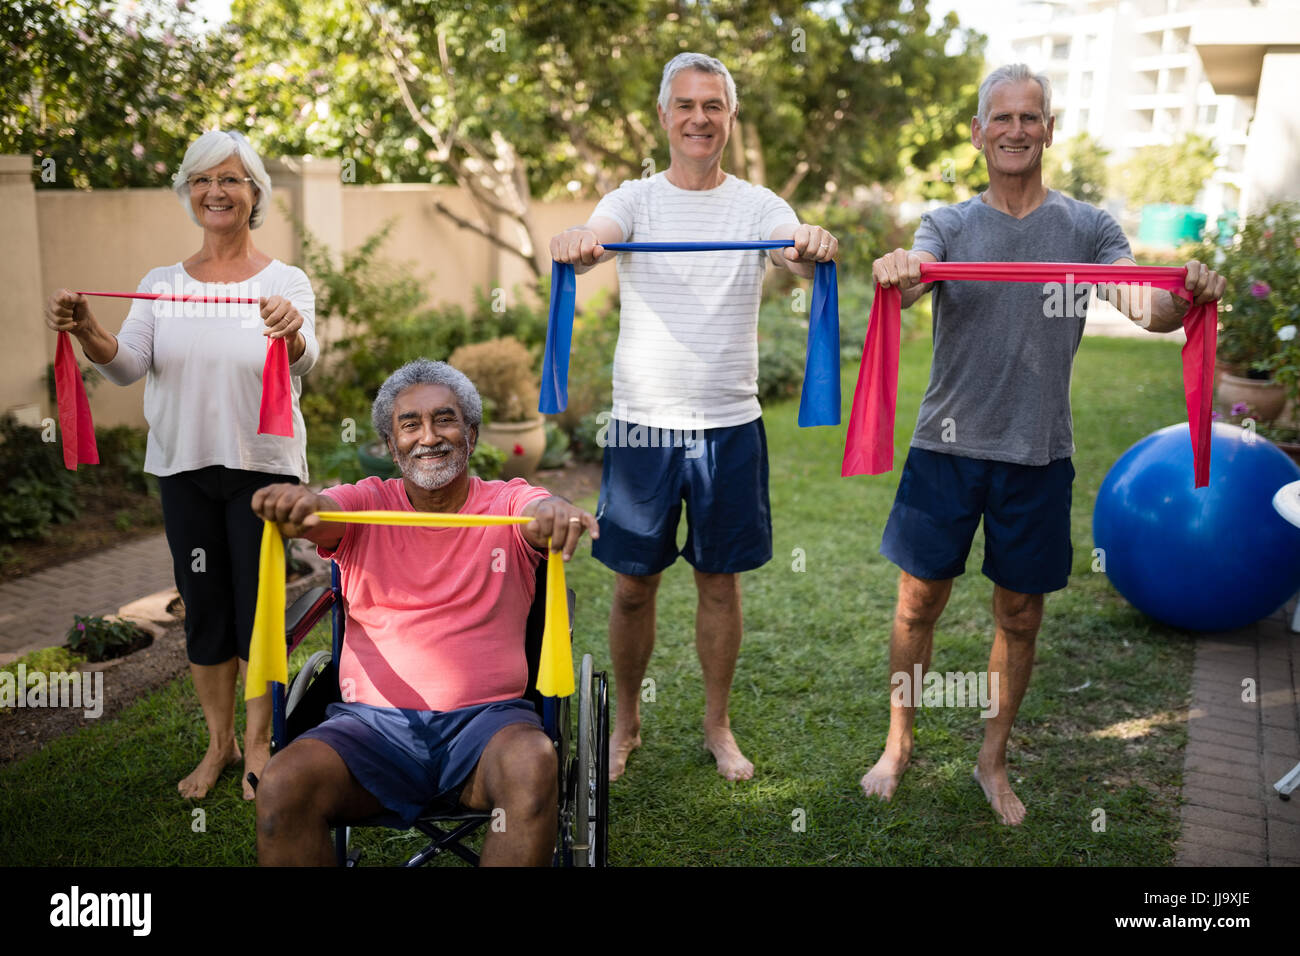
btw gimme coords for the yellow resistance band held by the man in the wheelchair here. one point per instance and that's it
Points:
(268, 655)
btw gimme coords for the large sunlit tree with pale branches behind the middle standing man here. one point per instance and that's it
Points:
(515, 101)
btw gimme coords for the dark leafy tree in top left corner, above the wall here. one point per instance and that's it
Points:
(114, 98)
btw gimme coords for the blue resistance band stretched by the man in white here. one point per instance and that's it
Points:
(820, 403)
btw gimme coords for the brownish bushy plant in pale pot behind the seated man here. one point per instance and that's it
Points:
(502, 371)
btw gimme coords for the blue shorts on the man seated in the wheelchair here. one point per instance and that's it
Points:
(409, 759)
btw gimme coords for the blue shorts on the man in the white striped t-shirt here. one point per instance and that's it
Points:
(720, 473)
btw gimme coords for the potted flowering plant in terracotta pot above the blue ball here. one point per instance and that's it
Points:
(1259, 358)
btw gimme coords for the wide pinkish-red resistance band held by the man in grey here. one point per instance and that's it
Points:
(869, 445)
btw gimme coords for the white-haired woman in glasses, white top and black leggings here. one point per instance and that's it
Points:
(202, 399)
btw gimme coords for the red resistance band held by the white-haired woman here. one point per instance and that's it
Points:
(276, 416)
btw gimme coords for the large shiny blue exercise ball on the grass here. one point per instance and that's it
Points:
(1214, 559)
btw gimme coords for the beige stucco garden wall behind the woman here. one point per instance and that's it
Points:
(107, 240)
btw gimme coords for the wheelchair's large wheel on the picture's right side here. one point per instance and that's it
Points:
(593, 769)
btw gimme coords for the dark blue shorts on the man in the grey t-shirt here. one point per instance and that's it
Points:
(1026, 512)
